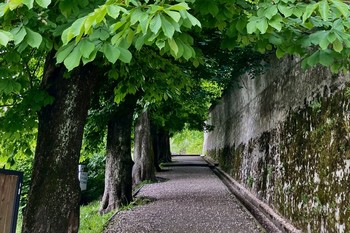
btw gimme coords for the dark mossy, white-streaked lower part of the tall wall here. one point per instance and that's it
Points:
(302, 167)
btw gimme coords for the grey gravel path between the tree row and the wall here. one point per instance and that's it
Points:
(192, 199)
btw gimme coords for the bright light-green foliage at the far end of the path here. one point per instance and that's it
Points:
(187, 142)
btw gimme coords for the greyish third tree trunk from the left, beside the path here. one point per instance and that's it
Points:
(143, 151)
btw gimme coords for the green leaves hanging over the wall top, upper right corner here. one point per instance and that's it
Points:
(314, 30)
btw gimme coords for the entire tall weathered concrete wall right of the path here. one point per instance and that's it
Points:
(286, 136)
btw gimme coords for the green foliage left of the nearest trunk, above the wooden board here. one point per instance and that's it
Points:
(20, 99)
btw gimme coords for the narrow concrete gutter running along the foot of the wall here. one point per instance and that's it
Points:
(265, 215)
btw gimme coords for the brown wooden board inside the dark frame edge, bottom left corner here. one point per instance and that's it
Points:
(8, 186)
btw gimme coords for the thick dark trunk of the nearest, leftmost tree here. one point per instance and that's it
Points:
(53, 204)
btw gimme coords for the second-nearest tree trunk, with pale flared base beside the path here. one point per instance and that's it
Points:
(118, 178)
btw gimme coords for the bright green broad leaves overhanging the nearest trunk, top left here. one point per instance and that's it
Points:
(109, 28)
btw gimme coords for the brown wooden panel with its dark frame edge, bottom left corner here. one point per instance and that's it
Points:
(10, 184)
